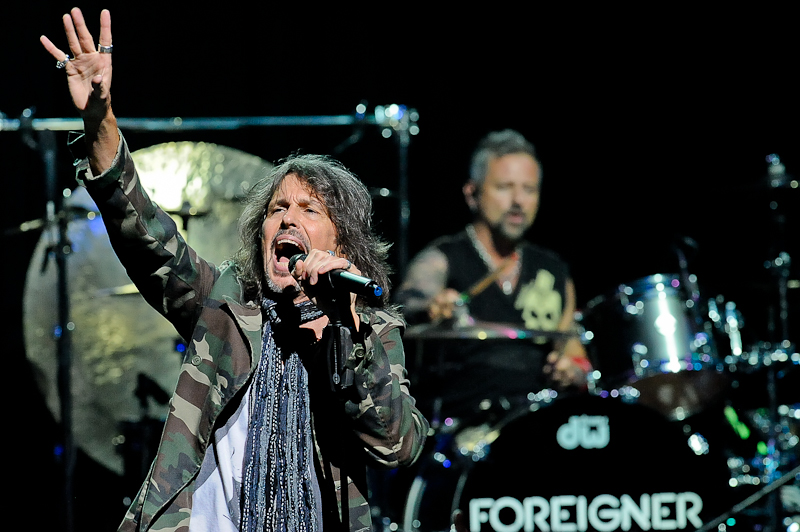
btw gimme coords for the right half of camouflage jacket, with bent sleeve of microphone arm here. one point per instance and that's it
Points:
(373, 421)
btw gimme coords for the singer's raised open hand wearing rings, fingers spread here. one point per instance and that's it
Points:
(88, 67)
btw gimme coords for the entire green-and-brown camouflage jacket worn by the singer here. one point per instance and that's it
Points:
(376, 424)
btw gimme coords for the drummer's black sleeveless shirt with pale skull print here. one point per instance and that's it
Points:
(462, 376)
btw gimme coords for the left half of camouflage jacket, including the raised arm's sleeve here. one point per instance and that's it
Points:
(219, 332)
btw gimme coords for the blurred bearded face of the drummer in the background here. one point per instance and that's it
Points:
(508, 198)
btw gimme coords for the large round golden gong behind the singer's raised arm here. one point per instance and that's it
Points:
(116, 336)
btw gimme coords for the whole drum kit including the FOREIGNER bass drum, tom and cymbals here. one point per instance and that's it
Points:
(683, 425)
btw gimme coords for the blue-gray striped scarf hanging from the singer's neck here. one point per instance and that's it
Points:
(280, 491)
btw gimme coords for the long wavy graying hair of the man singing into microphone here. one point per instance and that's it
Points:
(349, 206)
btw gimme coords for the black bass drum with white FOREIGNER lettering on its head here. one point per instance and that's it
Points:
(579, 464)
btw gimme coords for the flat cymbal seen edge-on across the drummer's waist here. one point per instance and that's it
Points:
(480, 331)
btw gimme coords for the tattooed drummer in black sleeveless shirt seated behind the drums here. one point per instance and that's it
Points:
(500, 277)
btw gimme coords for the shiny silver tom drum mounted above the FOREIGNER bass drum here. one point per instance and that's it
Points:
(655, 335)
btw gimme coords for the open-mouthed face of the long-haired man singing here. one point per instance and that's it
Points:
(296, 222)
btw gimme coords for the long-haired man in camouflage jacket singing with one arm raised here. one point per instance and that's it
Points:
(257, 437)
